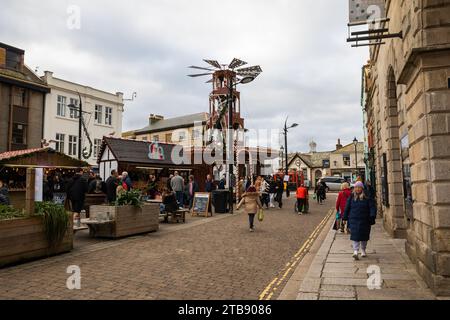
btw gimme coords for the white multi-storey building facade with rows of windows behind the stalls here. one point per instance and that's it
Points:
(102, 114)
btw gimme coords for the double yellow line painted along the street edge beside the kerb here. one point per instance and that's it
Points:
(270, 290)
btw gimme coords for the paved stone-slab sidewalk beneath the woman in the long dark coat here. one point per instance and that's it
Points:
(334, 275)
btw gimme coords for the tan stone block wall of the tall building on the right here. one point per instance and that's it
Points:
(410, 103)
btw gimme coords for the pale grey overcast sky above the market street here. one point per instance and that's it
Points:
(310, 73)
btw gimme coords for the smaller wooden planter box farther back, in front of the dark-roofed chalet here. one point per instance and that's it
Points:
(117, 222)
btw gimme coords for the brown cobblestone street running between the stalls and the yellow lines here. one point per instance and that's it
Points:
(215, 258)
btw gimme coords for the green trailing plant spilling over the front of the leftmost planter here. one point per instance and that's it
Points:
(55, 219)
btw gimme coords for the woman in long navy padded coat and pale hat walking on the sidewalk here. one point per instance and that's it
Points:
(361, 213)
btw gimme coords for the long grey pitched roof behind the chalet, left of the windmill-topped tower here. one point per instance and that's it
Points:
(174, 123)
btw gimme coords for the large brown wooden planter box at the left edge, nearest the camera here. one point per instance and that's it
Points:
(24, 239)
